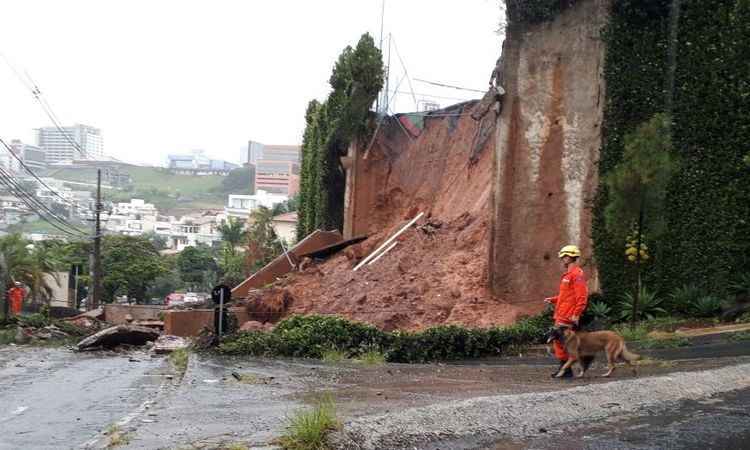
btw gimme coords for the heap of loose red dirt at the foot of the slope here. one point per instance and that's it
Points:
(436, 274)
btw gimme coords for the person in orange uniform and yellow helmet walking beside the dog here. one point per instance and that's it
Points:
(570, 302)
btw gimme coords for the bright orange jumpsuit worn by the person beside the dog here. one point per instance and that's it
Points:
(571, 301)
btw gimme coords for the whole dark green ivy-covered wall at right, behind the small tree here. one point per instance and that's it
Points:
(707, 241)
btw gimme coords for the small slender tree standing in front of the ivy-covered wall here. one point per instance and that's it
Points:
(637, 189)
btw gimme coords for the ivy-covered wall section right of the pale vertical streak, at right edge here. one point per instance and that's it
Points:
(709, 208)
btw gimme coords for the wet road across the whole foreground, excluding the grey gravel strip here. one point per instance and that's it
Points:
(56, 399)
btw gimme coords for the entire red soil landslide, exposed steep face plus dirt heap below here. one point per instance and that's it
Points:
(438, 271)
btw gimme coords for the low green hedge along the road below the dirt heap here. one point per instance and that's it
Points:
(311, 336)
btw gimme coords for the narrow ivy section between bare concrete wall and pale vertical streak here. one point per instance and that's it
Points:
(634, 72)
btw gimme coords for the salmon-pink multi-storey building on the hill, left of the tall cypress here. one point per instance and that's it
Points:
(277, 167)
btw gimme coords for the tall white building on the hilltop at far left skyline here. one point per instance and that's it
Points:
(58, 148)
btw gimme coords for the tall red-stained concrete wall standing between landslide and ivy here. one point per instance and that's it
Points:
(548, 141)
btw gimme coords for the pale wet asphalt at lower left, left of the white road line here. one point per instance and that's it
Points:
(54, 399)
